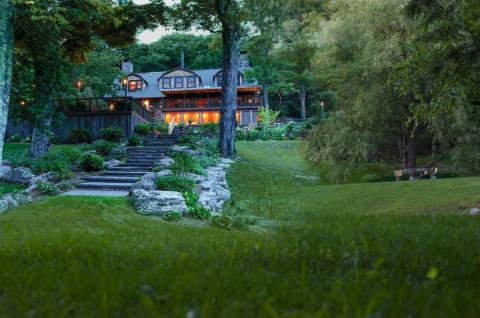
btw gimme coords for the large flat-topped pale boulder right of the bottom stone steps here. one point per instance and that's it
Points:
(158, 202)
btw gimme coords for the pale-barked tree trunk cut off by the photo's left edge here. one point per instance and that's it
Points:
(6, 65)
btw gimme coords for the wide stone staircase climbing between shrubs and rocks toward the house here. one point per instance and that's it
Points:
(117, 181)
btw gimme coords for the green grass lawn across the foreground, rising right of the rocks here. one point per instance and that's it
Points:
(366, 250)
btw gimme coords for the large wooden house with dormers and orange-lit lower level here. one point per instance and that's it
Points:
(188, 96)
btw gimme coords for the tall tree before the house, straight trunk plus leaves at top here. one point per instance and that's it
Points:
(228, 15)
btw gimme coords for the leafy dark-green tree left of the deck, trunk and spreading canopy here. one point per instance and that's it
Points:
(54, 33)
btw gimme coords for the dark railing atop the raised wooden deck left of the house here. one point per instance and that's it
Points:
(102, 105)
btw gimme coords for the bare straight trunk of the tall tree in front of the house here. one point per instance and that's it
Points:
(231, 61)
